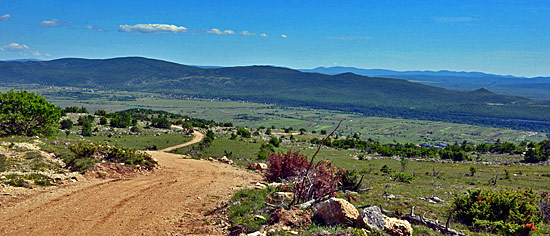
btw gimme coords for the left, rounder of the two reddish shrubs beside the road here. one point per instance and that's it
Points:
(286, 166)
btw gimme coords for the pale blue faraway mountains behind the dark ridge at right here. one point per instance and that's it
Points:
(466, 81)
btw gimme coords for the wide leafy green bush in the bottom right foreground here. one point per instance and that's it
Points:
(502, 212)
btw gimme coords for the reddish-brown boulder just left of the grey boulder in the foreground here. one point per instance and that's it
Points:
(336, 211)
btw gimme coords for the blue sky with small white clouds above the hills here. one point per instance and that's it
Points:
(498, 36)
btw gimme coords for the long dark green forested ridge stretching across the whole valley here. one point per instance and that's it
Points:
(346, 92)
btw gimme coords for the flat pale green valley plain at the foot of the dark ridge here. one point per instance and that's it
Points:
(240, 113)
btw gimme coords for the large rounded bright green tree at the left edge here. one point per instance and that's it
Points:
(24, 113)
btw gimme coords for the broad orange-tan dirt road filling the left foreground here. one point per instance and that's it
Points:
(169, 201)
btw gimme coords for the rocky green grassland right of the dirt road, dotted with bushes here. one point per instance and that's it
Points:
(445, 180)
